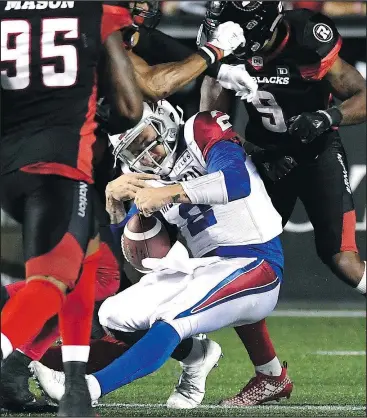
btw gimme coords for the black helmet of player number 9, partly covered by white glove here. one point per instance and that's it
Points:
(258, 20)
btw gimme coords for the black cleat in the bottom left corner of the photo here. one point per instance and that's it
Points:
(15, 394)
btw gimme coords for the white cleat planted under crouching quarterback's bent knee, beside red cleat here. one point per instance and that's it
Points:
(190, 391)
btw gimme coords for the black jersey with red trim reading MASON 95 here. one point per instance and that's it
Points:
(49, 55)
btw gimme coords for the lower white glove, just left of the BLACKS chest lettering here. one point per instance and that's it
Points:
(236, 77)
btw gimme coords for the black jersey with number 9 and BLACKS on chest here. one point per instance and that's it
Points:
(291, 80)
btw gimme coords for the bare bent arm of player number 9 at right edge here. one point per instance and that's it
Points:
(349, 86)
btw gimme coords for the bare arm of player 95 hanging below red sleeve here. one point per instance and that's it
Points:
(124, 88)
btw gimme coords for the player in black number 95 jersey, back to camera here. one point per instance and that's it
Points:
(49, 56)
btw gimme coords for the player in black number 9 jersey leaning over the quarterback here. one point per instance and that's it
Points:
(293, 122)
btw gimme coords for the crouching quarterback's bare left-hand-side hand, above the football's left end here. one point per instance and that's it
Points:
(122, 189)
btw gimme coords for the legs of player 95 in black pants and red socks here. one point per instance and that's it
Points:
(57, 234)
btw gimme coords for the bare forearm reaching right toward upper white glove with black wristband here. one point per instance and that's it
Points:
(165, 79)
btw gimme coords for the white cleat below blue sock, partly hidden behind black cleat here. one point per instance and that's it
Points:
(53, 382)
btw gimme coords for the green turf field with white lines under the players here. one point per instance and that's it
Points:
(324, 385)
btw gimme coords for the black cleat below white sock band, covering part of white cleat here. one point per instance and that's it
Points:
(76, 401)
